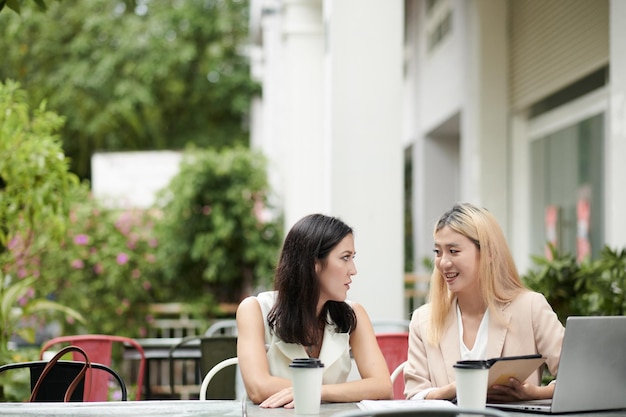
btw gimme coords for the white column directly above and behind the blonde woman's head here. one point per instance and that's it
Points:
(484, 146)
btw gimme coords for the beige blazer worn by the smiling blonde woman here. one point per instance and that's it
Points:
(530, 326)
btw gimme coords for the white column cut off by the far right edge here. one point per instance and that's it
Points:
(615, 198)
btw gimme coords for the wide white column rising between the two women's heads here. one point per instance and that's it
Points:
(364, 125)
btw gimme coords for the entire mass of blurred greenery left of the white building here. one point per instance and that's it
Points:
(80, 77)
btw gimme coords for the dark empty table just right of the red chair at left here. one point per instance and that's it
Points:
(156, 380)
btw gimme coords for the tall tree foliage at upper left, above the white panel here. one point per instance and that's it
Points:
(134, 75)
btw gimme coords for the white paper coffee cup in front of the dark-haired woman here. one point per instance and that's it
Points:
(307, 384)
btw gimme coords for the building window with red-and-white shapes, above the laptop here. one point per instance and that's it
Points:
(567, 189)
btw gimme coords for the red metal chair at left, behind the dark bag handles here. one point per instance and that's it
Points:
(98, 347)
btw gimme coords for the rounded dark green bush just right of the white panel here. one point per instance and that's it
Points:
(213, 239)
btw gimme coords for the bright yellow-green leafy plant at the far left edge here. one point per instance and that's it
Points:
(35, 186)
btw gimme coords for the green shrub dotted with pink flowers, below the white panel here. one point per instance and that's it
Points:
(106, 255)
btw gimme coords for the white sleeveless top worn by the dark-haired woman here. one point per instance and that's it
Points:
(334, 354)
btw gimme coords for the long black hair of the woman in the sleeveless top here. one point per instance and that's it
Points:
(293, 318)
